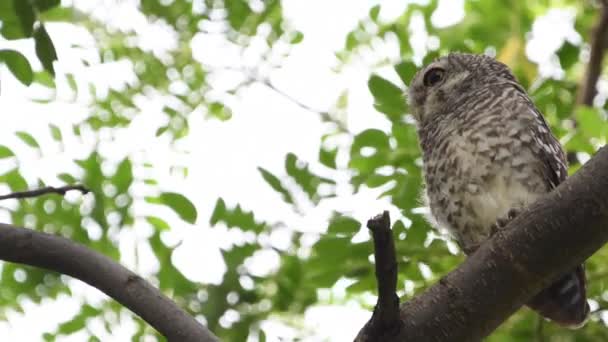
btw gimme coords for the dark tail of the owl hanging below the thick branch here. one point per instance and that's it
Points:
(565, 301)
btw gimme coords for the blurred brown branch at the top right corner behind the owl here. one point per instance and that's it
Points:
(599, 43)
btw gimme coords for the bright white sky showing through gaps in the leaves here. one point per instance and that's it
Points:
(223, 156)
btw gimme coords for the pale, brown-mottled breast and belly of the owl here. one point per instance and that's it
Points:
(475, 178)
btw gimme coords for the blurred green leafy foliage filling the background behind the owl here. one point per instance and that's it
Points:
(383, 160)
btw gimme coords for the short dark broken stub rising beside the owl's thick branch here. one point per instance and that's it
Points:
(385, 321)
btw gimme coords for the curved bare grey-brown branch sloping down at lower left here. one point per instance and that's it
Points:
(58, 254)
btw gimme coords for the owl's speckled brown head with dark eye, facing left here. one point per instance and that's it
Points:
(439, 86)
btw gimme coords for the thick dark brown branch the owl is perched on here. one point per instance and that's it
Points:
(552, 236)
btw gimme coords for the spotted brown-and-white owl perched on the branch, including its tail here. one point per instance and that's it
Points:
(488, 153)
